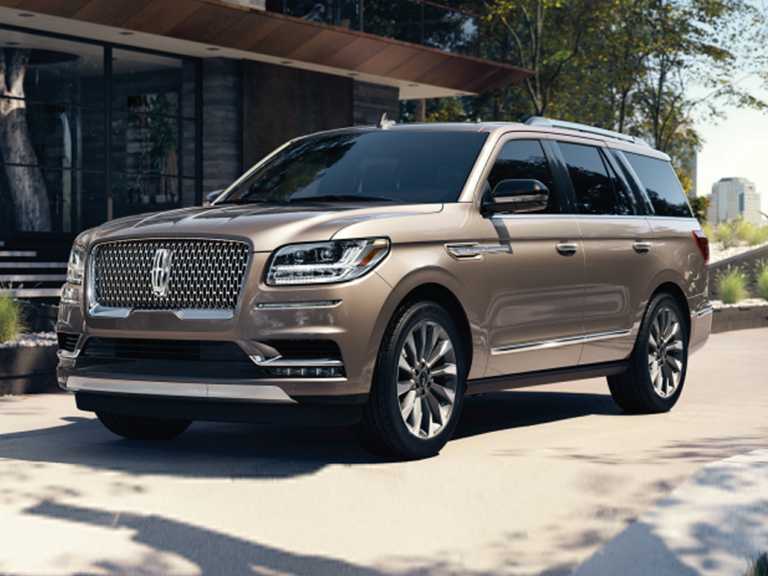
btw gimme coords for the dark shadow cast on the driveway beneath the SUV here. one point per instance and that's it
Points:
(271, 451)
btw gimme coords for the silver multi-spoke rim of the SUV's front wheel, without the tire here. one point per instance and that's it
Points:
(426, 379)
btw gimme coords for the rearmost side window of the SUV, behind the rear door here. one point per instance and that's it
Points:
(661, 184)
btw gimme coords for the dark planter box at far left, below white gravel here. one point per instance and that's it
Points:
(28, 369)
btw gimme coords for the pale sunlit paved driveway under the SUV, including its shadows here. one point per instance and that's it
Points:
(536, 482)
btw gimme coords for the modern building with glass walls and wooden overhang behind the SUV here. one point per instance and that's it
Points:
(115, 107)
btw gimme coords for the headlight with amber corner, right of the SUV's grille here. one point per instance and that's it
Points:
(325, 262)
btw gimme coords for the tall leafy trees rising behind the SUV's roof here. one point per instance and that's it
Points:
(651, 68)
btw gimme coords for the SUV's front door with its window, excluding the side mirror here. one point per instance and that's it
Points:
(534, 313)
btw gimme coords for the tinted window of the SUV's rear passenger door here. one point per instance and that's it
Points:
(597, 190)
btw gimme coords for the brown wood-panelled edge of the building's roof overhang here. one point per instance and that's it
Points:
(220, 24)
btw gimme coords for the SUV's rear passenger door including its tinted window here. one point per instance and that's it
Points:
(617, 240)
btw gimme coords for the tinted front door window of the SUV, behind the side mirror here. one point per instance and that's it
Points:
(524, 159)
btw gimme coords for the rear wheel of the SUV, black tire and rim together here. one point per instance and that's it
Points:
(656, 374)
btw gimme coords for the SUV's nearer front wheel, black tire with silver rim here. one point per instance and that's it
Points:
(415, 417)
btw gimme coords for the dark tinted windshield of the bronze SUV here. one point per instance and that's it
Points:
(372, 166)
